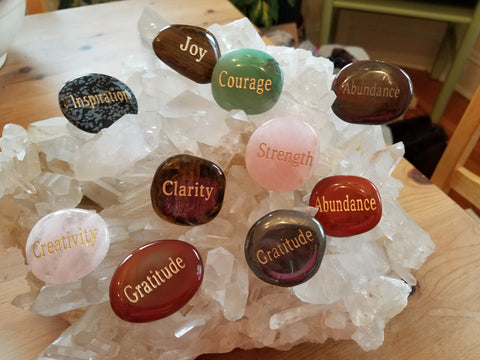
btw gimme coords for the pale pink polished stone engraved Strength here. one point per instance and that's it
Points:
(282, 153)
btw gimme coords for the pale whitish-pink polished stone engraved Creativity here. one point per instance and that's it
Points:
(67, 245)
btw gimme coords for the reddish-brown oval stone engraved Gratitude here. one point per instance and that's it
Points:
(155, 280)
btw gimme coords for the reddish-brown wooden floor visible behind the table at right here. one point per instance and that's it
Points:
(426, 91)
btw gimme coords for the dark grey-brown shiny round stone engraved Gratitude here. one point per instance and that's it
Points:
(285, 247)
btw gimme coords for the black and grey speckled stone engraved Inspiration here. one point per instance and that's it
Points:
(93, 102)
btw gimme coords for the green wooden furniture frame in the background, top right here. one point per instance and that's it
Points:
(453, 12)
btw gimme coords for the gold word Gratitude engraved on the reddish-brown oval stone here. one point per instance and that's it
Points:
(153, 280)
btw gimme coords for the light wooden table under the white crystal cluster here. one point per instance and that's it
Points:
(442, 319)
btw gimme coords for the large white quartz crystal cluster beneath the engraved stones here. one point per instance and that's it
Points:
(363, 281)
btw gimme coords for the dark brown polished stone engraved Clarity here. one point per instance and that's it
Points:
(188, 190)
